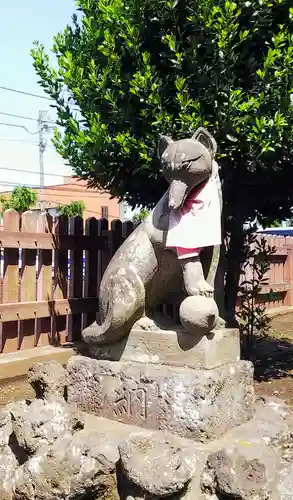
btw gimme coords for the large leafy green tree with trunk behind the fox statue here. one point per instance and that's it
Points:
(128, 71)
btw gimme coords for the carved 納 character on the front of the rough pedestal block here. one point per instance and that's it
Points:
(131, 402)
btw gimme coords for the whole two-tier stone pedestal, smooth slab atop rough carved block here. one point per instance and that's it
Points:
(167, 380)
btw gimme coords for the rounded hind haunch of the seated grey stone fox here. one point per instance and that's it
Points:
(122, 303)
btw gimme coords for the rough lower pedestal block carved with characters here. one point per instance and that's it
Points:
(198, 404)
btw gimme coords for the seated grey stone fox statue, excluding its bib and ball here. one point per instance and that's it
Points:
(143, 271)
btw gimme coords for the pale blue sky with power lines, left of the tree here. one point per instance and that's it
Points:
(22, 22)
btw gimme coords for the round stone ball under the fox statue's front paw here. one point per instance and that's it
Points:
(199, 314)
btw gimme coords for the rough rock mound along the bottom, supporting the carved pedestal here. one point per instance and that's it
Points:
(107, 460)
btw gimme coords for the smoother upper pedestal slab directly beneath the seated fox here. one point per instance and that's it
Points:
(175, 348)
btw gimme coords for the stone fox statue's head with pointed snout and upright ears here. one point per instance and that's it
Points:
(186, 164)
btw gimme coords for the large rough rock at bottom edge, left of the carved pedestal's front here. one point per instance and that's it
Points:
(68, 469)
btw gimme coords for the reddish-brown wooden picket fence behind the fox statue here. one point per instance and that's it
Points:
(50, 272)
